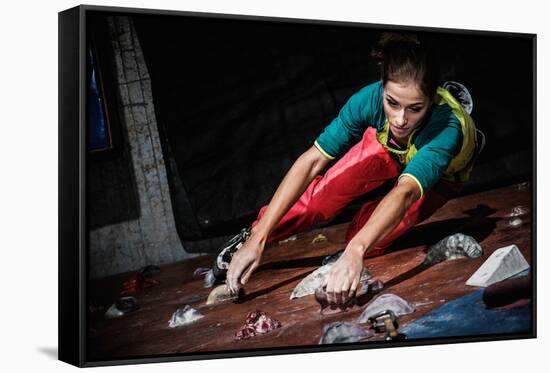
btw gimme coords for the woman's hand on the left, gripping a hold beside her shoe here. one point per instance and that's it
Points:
(244, 262)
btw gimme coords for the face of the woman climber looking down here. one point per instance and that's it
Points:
(405, 106)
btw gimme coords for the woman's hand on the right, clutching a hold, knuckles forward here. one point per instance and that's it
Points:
(344, 276)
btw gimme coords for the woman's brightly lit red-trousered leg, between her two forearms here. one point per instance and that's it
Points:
(363, 168)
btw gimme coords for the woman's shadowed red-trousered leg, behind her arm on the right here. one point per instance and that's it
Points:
(422, 209)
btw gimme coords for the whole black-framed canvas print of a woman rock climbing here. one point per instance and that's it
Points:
(233, 186)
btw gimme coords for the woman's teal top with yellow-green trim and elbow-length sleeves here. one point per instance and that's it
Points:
(443, 146)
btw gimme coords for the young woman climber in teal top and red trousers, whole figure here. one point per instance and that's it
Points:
(403, 128)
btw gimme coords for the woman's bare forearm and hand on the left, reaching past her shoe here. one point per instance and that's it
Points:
(297, 179)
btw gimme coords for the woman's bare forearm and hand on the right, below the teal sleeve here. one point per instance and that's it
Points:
(344, 277)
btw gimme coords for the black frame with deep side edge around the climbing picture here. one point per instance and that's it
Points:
(73, 166)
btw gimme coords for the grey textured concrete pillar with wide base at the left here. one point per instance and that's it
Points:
(149, 236)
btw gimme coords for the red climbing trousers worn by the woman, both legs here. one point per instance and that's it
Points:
(362, 169)
